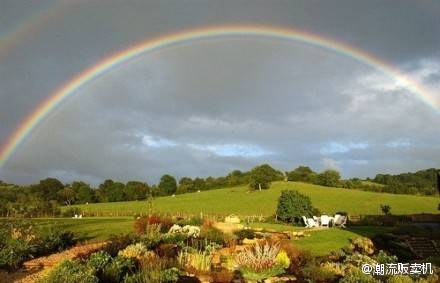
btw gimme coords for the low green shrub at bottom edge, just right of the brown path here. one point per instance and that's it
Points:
(70, 271)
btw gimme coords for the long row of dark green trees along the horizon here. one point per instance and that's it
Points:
(45, 197)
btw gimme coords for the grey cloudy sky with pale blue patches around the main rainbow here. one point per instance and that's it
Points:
(207, 107)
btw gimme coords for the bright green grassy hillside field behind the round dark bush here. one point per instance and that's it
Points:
(241, 202)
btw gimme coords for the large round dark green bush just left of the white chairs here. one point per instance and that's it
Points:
(292, 206)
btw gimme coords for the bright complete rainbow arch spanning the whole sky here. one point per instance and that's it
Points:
(72, 86)
